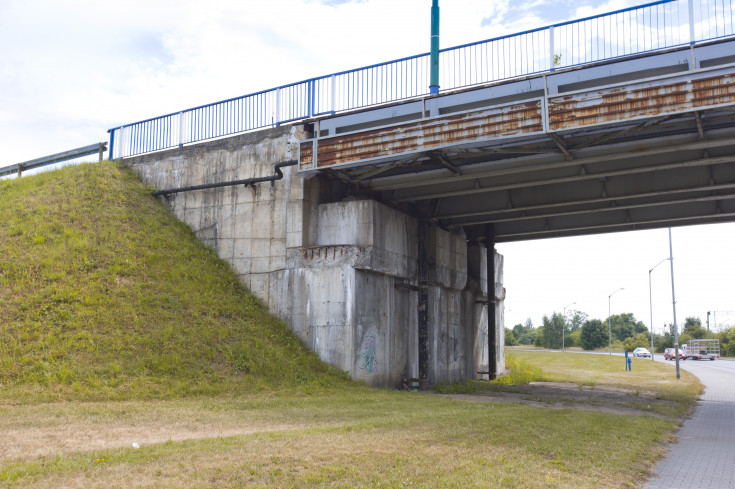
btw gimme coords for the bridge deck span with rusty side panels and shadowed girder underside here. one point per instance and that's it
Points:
(631, 156)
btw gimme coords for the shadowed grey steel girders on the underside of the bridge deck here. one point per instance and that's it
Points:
(661, 172)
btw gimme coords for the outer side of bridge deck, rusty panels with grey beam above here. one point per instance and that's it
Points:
(667, 85)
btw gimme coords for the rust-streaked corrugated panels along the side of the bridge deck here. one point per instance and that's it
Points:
(566, 111)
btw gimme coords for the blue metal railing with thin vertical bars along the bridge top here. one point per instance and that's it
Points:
(645, 28)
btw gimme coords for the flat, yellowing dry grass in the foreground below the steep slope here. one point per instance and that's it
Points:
(370, 439)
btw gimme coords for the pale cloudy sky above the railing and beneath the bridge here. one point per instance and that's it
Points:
(71, 70)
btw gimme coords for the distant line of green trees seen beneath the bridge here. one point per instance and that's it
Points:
(626, 331)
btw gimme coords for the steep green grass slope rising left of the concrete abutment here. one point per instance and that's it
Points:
(105, 295)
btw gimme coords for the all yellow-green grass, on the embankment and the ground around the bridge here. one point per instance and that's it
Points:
(118, 327)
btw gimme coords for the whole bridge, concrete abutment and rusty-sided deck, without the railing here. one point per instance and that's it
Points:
(377, 243)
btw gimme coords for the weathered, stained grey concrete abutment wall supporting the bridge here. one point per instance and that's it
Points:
(337, 272)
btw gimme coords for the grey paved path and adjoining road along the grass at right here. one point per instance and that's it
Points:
(705, 454)
